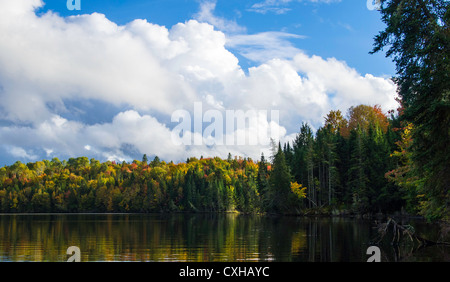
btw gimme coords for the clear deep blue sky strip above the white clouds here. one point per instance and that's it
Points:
(343, 29)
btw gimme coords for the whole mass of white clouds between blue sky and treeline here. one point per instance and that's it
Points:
(55, 73)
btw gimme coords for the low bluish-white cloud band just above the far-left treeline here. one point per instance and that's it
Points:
(130, 134)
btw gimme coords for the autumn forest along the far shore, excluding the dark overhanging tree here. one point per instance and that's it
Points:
(352, 165)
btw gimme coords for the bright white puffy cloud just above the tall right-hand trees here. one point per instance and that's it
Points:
(305, 88)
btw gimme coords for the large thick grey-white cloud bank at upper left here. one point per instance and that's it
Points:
(48, 59)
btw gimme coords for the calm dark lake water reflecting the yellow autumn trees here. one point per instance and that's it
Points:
(200, 238)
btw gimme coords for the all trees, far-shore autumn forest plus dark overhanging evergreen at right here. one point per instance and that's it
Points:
(360, 162)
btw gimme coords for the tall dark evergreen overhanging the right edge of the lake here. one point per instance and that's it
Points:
(418, 37)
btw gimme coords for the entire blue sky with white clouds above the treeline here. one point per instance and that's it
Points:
(118, 79)
